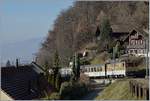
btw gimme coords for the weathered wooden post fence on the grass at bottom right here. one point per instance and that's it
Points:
(139, 90)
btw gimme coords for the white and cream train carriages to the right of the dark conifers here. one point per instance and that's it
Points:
(112, 69)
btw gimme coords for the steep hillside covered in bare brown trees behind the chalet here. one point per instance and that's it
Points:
(75, 27)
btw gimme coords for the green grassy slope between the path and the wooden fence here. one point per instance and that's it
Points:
(118, 90)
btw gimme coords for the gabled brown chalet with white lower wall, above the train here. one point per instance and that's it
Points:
(136, 43)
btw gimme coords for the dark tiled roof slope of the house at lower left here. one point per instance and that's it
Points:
(15, 82)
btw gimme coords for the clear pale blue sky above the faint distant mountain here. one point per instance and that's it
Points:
(26, 19)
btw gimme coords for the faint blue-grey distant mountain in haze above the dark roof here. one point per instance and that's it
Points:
(24, 50)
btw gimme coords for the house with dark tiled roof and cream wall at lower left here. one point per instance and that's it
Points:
(22, 83)
